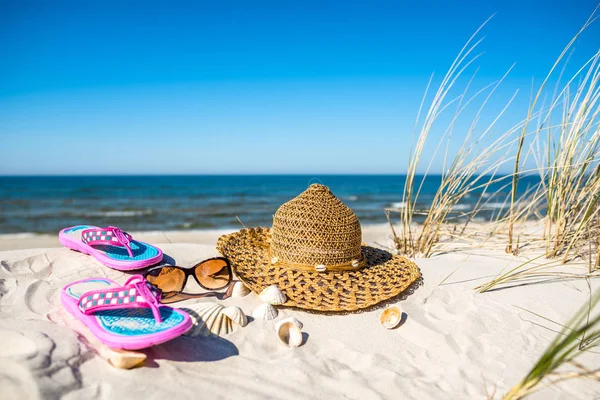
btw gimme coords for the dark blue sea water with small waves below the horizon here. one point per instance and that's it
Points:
(135, 203)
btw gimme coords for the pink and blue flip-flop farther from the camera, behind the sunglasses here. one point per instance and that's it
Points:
(111, 246)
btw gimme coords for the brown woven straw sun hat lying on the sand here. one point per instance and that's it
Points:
(313, 253)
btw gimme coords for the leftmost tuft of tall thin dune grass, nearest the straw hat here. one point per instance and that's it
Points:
(471, 169)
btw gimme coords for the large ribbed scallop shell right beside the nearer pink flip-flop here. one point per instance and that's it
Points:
(208, 318)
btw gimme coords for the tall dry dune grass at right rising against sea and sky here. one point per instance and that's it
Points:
(565, 142)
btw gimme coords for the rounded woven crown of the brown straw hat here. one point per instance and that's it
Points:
(316, 228)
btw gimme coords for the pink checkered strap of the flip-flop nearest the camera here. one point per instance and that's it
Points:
(137, 292)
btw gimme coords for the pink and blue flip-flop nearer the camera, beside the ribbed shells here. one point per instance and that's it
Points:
(125, 317)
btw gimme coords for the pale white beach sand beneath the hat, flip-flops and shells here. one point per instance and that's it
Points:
(452, 344)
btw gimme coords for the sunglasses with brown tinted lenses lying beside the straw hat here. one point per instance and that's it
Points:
(211, 274)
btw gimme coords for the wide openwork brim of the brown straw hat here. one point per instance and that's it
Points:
(385, 276)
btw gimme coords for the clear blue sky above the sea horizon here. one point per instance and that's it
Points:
(251, 87)
